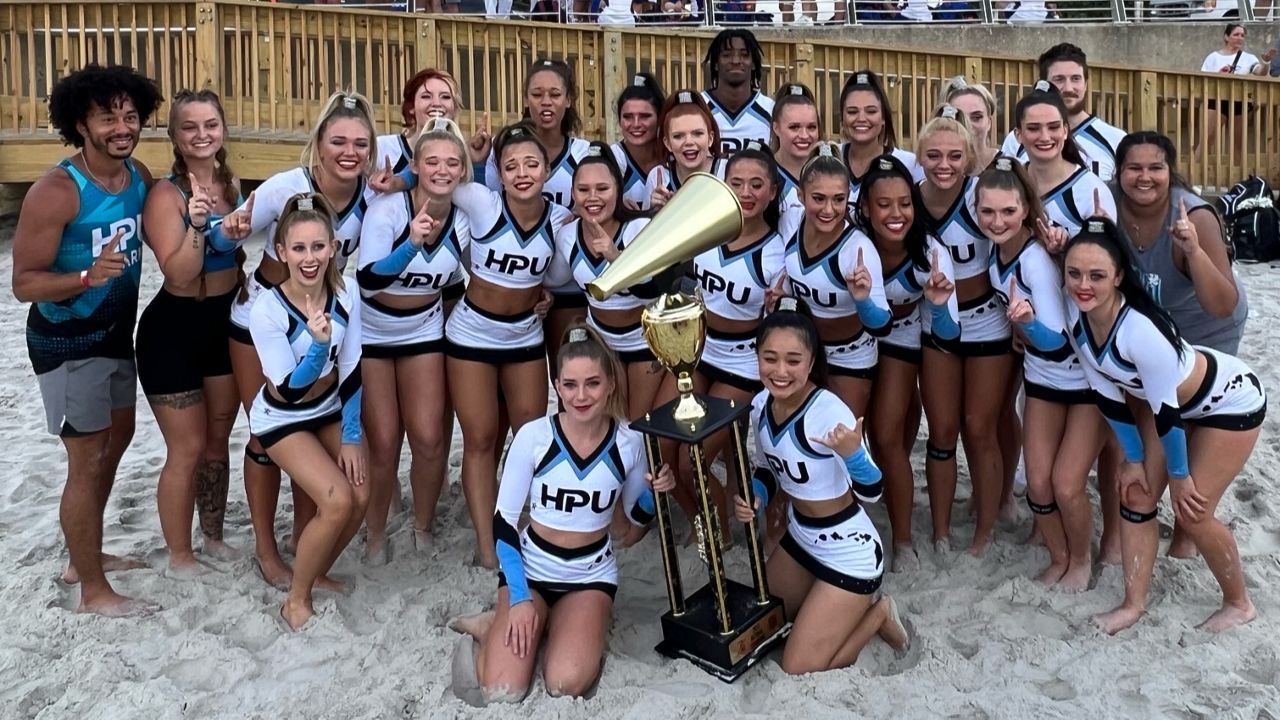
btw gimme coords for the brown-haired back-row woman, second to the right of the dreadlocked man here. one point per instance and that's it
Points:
(867, 127)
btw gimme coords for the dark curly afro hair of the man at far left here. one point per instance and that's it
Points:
(77, 94)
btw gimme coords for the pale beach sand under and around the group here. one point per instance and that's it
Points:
(989, 642)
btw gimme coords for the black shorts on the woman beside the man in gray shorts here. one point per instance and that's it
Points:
(182, 341)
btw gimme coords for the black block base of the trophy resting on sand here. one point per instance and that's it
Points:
(696, 635)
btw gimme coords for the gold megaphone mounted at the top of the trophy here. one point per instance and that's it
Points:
(703, 215)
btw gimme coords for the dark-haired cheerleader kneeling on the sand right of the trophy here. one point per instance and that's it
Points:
(830, 564)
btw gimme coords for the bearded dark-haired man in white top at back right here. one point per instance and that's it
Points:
(1067, 67)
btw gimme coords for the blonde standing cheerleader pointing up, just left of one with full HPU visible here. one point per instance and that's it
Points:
(412, 249)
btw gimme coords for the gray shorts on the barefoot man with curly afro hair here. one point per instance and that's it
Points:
(80, 395)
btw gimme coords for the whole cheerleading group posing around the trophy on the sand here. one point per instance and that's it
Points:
(871, 289)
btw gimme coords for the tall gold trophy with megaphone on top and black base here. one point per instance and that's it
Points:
(725, 627)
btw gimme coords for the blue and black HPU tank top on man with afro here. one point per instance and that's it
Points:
(99, 322)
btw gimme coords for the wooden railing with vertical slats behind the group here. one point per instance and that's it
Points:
(276, 65)
